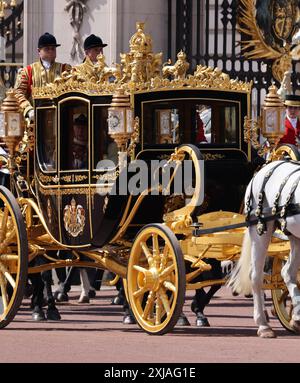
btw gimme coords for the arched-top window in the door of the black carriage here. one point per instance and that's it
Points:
(74, 135)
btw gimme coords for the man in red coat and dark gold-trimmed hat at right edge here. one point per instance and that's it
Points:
(292, 122)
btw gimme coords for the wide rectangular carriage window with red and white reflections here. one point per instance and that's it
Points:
(212, 122)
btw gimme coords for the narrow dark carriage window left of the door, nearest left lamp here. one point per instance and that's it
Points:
(46, 125)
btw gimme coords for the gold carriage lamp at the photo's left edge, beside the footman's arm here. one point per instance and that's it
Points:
(11, 123)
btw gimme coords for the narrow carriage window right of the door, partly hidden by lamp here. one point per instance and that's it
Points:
(105, 147)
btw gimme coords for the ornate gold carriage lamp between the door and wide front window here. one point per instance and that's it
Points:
(120, 122)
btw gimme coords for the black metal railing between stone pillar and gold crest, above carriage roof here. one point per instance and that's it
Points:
(207, 31)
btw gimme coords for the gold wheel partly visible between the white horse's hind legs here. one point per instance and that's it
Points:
(281, 297)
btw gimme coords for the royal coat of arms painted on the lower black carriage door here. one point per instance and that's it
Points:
(74, 219)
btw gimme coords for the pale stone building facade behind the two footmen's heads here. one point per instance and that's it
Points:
(113, 20)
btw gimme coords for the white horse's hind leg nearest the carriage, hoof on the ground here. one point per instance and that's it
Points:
(259, 247)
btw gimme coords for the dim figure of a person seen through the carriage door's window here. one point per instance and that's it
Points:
(79, 144)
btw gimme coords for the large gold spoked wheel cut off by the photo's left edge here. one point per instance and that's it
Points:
(13, 257)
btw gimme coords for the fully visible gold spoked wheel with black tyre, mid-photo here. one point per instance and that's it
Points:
(156, 279)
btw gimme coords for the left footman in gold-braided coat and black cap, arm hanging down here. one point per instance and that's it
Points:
(38, 74)
